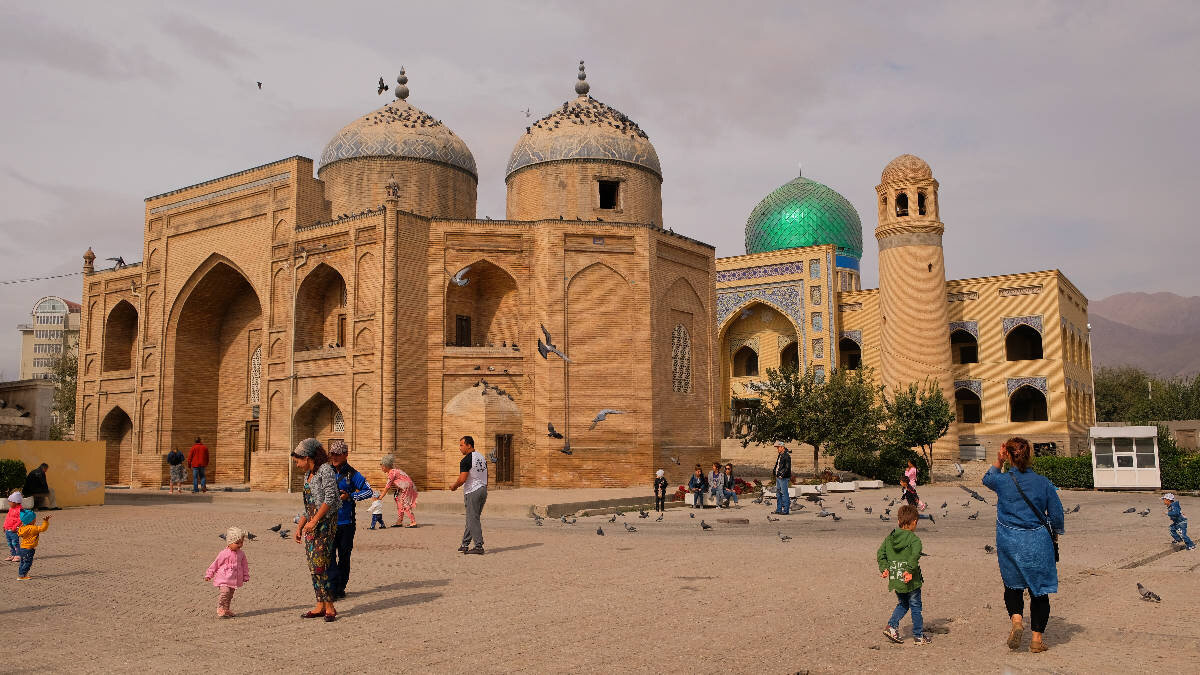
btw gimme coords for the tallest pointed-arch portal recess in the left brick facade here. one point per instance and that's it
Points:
(215, 328)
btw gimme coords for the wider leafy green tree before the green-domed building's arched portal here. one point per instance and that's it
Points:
(842, 414)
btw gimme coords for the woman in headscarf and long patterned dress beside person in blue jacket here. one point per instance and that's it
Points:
(319, 525)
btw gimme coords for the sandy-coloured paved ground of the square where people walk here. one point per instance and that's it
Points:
(121, 589)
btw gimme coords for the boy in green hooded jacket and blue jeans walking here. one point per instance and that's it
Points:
(899, 558)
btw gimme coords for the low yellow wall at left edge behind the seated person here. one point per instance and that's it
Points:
(77, 469)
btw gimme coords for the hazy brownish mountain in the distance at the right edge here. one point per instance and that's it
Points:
(1156, 332)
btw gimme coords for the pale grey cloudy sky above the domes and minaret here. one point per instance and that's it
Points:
(1063, 135)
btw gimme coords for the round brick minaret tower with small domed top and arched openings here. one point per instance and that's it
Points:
(914, 320)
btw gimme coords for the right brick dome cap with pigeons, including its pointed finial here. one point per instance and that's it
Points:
(585, 129)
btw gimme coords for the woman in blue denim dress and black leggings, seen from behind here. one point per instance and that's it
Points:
(1024, 546)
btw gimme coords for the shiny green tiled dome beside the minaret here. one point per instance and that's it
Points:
(805, 213)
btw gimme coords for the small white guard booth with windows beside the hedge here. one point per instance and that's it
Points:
(1125, 458)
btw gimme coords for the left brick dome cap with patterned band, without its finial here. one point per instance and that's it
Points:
(399, 130)
